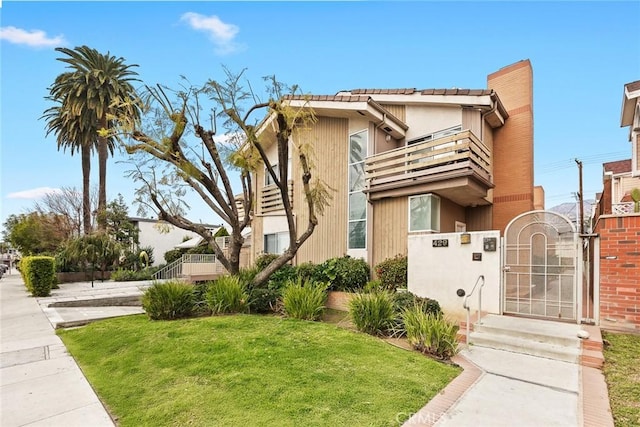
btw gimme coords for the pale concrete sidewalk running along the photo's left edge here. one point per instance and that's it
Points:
(40, 383)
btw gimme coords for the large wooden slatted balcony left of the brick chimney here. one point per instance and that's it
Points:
(457, 167)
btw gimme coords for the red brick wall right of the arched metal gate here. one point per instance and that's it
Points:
(619, 271)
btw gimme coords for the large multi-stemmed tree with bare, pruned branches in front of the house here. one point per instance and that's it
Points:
(168, 165)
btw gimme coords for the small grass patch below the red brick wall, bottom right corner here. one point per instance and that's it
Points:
(622, 371)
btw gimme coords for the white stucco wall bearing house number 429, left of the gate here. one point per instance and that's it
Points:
(438, 272)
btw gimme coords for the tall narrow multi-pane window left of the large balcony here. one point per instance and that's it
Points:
(357, 199)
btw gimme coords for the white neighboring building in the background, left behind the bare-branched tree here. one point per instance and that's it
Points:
(162, 236)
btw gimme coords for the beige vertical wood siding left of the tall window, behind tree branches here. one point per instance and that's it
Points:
(330, 138)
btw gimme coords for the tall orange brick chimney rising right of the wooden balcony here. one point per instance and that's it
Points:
(513, 143)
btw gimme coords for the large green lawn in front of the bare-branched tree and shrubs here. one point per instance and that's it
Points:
(251, 370)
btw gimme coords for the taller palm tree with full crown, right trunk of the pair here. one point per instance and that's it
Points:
(96, 91)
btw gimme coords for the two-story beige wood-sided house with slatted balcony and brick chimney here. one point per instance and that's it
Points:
(404, 162)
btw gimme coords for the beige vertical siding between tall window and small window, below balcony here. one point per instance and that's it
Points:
(390, 225)
